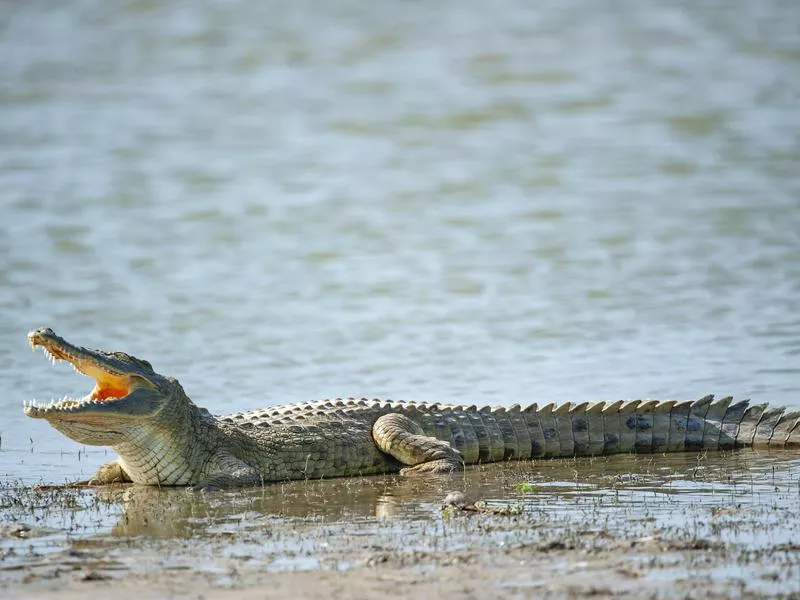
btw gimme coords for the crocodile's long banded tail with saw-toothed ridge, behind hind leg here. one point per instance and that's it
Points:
(490, 434)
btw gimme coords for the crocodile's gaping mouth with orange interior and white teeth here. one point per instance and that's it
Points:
(110, 385)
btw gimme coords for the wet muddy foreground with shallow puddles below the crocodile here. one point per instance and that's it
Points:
(716, 524)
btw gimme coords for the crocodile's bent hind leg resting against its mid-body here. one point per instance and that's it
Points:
(405, 440)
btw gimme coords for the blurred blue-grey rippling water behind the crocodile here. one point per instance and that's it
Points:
(454, 201)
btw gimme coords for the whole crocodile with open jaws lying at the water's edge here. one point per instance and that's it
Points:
(163, 438)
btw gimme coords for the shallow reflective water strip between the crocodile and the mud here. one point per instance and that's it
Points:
(661, 488)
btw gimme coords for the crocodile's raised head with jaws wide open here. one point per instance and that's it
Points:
(126, 394)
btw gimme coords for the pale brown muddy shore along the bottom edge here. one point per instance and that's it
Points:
(653, 568)
